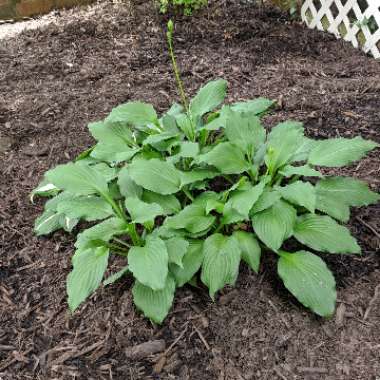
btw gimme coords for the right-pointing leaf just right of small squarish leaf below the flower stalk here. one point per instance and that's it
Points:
(227, 158)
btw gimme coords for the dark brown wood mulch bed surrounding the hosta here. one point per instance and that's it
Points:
(54, 81)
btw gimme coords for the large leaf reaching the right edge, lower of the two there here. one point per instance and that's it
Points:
(335, 196)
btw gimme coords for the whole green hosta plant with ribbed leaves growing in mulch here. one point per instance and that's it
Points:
(190, 194)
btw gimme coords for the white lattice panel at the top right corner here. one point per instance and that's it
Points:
(356, 21)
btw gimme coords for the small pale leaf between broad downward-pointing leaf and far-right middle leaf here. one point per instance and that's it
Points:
(300, 193)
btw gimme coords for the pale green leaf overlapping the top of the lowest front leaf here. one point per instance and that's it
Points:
(149, 264)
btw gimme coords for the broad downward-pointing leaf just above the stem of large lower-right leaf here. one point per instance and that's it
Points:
(275, 224)
